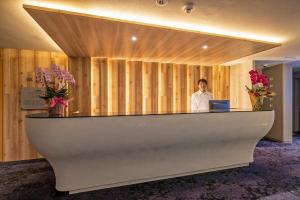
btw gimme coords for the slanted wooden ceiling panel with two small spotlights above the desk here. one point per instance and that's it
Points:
(80, 35)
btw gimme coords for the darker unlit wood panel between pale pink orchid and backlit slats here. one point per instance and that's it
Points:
(81, 70)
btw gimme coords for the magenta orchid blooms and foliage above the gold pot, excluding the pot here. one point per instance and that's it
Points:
(260, 84)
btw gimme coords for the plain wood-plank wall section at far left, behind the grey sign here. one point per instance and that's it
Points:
(19, 71)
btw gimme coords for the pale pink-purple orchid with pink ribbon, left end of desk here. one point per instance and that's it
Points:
(56, 82)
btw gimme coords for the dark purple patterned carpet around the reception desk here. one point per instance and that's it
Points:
(274, 175)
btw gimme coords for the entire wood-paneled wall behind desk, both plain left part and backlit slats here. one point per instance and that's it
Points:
(102, 86)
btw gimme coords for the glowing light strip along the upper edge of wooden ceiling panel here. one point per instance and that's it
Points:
(147, 20)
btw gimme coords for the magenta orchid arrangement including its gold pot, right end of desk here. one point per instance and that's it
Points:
(259, 90)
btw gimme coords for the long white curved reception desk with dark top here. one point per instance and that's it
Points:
(94, 152)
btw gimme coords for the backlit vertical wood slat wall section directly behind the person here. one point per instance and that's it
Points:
(135, 87)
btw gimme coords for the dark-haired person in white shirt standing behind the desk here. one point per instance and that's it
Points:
(200, 99)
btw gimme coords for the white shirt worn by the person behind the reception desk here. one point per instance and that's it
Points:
(200, 101)
